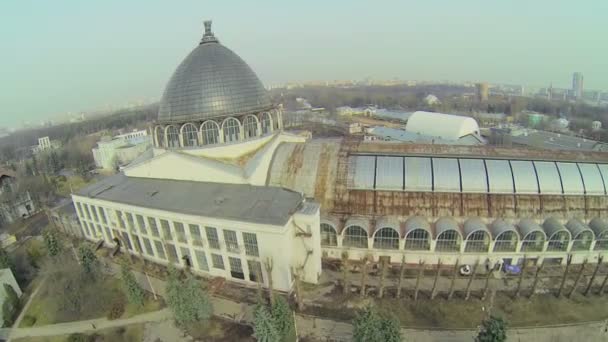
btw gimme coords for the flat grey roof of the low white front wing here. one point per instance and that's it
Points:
(240, 202)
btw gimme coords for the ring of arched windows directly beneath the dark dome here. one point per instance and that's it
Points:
(213, 132)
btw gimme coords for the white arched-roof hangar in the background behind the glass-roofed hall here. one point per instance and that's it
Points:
(443, 126)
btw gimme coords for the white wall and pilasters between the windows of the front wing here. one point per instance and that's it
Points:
(275, 243)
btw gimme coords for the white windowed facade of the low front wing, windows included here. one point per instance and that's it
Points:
(214, 247)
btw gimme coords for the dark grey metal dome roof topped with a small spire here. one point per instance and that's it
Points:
(212, 82)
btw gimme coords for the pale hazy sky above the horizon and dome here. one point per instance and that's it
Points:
(67, 56)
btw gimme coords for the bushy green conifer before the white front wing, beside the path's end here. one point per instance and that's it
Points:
(187, 299)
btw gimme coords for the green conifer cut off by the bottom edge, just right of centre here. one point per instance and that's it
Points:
(369, 326)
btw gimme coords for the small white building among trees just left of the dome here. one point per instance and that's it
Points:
(121, 149)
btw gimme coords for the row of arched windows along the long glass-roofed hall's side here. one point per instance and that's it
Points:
(451, 238)
